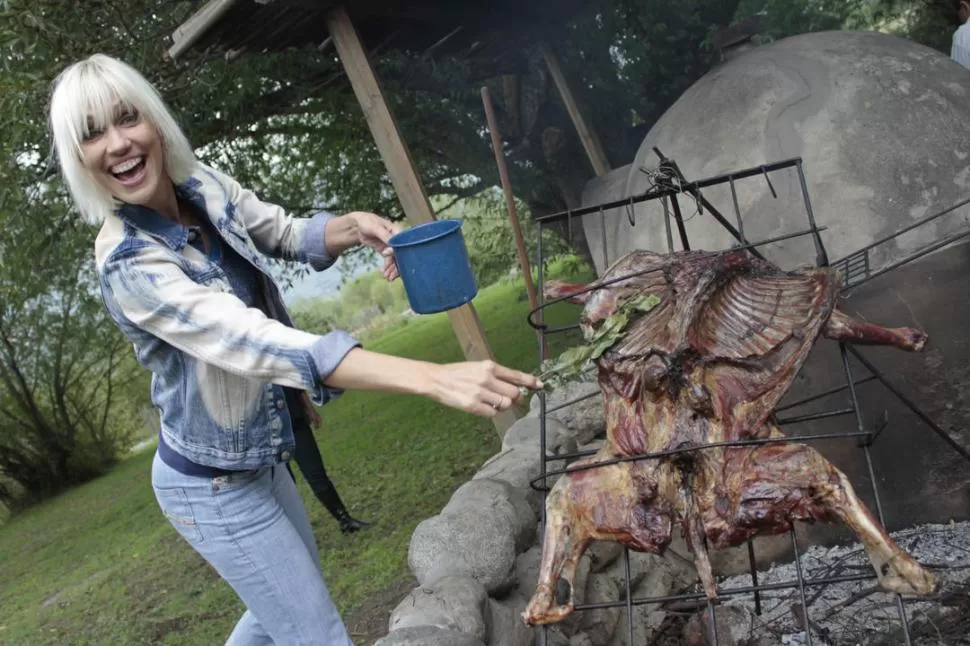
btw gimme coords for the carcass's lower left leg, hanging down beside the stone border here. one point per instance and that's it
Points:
(596, 504)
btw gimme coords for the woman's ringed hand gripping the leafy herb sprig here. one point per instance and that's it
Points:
(480, 387)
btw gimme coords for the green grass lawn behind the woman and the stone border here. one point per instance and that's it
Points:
(99, 565)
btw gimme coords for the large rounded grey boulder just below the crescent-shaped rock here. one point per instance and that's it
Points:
(464, 543)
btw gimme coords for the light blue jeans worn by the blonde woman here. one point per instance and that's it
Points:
(253, 529)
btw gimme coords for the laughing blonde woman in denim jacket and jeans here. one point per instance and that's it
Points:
(181, 262)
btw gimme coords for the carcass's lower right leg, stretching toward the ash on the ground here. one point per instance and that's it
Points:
(782, 483)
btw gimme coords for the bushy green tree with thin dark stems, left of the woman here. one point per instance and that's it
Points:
(63, 367)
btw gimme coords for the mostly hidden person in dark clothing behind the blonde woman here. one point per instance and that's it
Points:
(310, 461)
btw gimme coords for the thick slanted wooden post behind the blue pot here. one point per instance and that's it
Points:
(404, 176)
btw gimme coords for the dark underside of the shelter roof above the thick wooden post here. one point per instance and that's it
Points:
(231, 26)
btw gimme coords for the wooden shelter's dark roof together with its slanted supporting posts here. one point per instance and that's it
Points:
(484, 28)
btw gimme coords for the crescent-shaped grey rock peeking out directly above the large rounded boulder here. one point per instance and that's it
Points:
(498, 498)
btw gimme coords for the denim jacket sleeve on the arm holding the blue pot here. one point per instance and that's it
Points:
(276, 233)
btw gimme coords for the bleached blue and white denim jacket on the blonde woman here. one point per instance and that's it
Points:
(218, 367)
